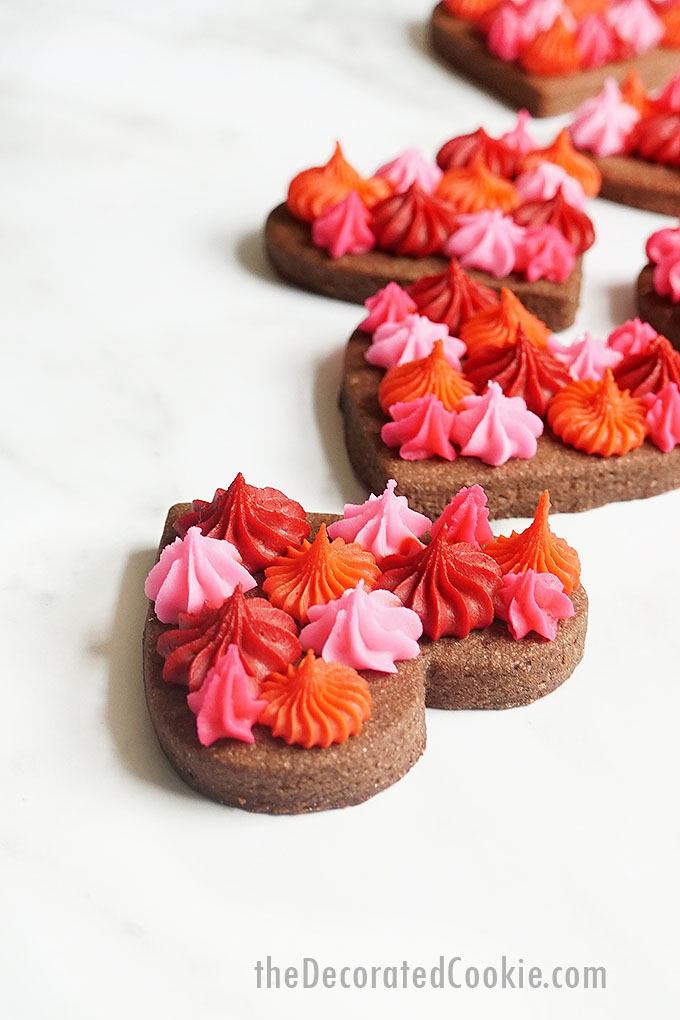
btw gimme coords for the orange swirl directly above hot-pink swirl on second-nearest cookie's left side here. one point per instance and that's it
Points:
(433, 375)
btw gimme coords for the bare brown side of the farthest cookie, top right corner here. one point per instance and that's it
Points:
(461, 45)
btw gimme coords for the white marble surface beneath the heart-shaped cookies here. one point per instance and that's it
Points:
(149, 355)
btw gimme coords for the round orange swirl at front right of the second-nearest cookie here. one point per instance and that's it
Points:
(595, 416)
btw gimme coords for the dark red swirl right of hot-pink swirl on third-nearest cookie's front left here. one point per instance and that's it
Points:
(413, 224)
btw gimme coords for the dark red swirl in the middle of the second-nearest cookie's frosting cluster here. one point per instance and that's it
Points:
(522, 370)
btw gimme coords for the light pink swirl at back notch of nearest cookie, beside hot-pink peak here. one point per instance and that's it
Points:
(383, 526)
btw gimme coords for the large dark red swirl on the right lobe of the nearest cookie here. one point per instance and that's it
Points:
(450, 586)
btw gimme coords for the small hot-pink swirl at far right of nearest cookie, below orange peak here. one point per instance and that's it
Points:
(532, 601)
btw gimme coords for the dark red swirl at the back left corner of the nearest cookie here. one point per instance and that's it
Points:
(260, 523)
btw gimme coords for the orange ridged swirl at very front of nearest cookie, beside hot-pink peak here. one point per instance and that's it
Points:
(317, 703)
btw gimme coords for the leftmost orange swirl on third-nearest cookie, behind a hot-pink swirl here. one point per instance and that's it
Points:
(316, 190)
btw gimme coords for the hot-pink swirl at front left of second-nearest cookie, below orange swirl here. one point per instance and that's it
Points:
(422, 429)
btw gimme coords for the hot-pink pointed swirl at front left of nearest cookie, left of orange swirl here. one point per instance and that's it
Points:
(225, 705)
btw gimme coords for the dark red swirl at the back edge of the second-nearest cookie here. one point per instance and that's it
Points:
(451, 297)
